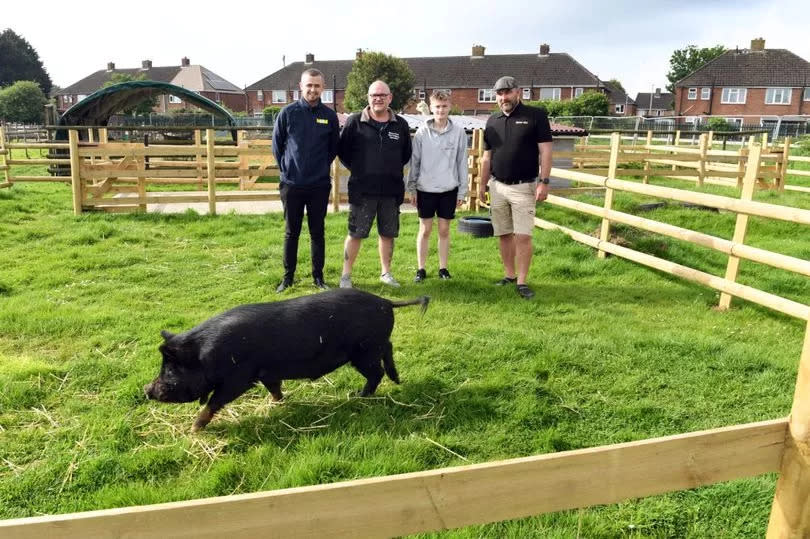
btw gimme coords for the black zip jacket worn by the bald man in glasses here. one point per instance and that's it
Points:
(375, 156)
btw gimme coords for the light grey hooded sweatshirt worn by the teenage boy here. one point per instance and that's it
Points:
(439, 160)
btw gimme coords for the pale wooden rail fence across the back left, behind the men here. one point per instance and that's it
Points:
(116, 177)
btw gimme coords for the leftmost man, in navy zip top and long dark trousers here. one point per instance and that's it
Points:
(305, 142)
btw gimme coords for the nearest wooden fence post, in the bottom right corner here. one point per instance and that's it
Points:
(790, 512)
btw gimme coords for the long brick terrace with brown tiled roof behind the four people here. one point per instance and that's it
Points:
(544, 75)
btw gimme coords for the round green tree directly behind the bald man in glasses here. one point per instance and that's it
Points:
(373, 66)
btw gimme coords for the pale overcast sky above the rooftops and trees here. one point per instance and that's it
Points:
(244, 41)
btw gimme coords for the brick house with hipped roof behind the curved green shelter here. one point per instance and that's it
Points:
(196, 78)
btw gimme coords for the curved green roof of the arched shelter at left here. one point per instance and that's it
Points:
(97, 108)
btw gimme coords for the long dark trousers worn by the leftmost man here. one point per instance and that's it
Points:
(315, 201)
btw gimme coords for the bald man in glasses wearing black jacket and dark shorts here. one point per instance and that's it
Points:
(375, 145)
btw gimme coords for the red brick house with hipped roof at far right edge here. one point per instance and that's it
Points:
(759, 82)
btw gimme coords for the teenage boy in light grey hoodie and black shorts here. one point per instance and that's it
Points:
(437, 181)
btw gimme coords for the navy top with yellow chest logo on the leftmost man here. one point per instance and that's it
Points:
(305, 142)
